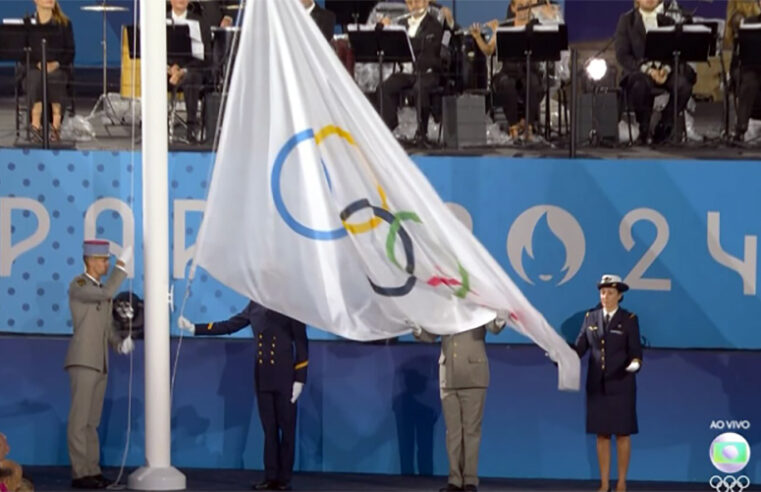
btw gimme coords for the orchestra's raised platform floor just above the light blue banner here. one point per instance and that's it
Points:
(707, 118)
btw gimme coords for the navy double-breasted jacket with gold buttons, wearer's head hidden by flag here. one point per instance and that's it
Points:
(281, 345)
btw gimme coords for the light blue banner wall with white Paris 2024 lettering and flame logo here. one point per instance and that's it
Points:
(682, 233)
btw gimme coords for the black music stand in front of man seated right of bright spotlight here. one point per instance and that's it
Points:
(672, 44)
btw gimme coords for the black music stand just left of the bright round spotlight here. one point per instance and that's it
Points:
(535, 42)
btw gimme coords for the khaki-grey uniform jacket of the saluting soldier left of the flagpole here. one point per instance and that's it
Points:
(92, 321)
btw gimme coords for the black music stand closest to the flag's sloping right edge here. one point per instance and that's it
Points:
(371, 45)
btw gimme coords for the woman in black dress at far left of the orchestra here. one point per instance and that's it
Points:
(60, 56)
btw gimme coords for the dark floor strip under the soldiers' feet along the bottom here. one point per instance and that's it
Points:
(58, 479)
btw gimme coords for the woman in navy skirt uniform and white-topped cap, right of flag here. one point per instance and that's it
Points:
(611, 333)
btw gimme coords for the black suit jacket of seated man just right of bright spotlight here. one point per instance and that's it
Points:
(630, 43)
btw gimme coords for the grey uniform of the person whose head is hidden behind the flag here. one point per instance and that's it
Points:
(463, 379)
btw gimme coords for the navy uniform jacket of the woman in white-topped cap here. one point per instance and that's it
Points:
(611, 350)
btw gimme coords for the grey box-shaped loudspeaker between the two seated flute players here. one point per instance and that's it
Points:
(464, 120)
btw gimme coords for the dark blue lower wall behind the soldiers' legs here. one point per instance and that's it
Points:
(375, 409)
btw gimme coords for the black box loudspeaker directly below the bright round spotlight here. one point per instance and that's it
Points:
(598, 112)
